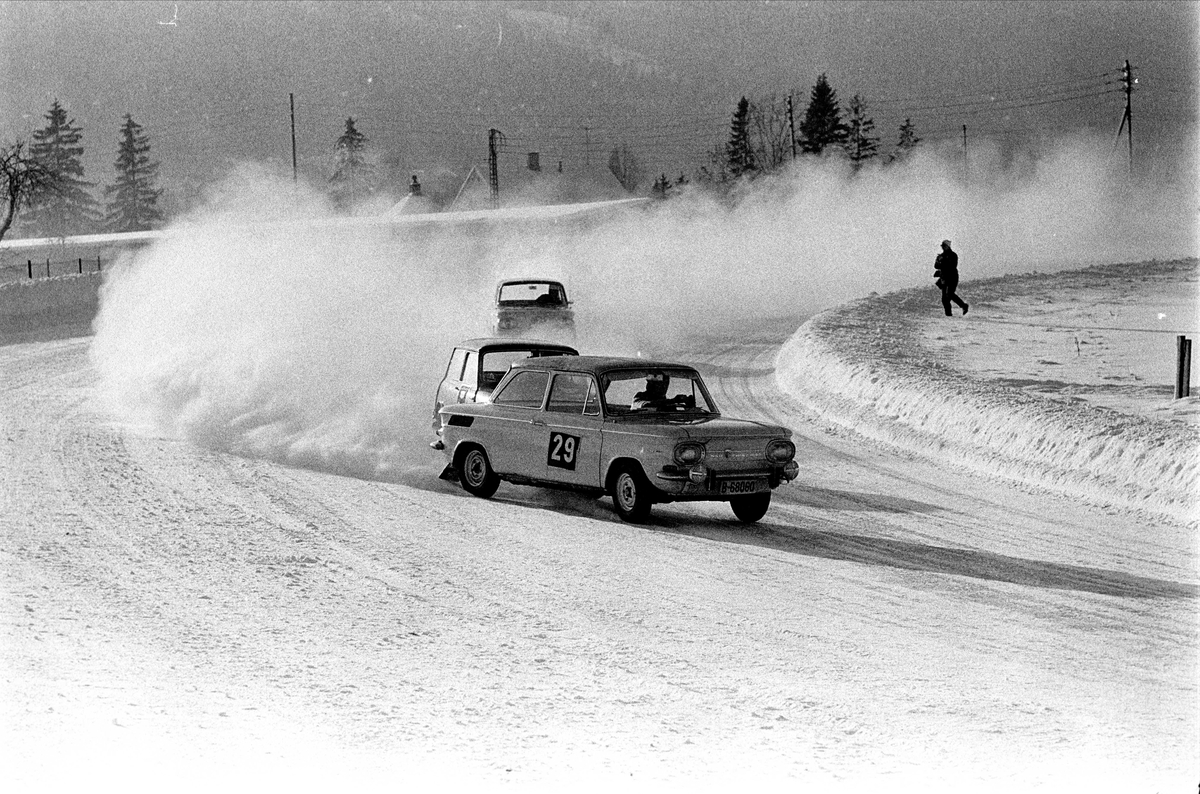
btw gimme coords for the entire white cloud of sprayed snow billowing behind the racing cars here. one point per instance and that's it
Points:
(255, 332)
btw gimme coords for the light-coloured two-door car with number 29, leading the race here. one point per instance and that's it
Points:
(641, 432)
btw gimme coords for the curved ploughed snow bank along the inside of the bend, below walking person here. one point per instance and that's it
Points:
(863, 366)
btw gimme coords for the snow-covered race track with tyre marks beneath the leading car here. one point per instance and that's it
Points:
(173, 616)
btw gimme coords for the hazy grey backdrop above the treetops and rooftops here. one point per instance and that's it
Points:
(211, 82)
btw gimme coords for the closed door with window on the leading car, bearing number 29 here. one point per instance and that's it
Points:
(572, 452)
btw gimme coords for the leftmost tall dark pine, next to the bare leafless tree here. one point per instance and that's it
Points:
(69, 208)
